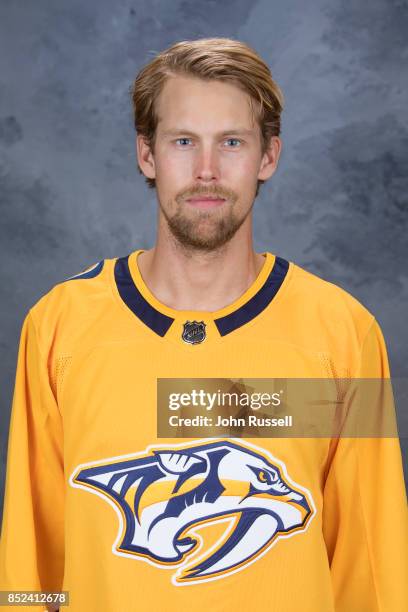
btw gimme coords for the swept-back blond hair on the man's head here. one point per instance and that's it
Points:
(225, 59)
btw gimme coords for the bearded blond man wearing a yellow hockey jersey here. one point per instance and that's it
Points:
(97, 503)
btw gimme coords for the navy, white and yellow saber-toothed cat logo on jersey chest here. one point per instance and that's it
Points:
(205, 509)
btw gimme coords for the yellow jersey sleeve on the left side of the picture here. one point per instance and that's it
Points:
(32, 536)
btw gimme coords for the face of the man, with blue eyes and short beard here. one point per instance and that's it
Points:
(207, 145)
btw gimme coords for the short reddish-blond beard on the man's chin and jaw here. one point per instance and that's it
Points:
(204, 230)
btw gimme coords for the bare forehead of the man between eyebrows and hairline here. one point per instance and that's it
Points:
(207, 105)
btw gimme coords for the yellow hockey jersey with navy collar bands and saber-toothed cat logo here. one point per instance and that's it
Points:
(96, 504)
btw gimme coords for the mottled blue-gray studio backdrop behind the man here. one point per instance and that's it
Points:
(70, 193)
